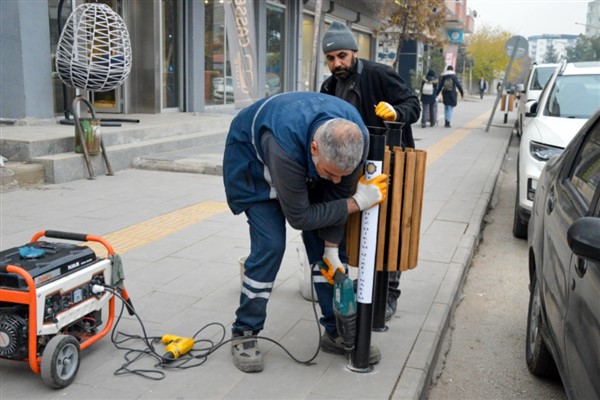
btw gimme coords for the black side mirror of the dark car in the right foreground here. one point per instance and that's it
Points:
(583, 238)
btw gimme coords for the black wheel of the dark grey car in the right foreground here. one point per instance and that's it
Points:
(538, 358)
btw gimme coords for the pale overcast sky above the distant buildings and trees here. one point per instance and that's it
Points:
(531, 17)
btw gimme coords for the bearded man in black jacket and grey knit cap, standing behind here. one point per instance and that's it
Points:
(379, 94)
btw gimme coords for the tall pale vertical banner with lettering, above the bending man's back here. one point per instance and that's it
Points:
(241, 32)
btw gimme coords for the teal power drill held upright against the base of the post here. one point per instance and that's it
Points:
(344, 307)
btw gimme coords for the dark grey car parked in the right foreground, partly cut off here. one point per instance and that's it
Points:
(563, 322)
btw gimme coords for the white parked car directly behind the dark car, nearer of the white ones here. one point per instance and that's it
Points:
(569, 98)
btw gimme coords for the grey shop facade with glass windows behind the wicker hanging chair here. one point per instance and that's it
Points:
(180, 56)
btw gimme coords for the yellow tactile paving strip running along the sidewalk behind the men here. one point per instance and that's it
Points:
(164, 225)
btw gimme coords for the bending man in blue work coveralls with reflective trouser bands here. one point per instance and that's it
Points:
(294, 157)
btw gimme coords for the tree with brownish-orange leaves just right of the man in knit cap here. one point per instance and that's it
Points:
(418, 20)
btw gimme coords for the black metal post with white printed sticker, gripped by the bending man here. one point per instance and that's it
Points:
(359, 359)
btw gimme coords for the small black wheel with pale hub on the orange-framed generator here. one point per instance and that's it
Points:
(60, 361)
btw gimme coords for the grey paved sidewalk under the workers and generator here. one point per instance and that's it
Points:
(180, 246)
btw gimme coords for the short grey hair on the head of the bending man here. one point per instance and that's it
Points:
(341, 142)
